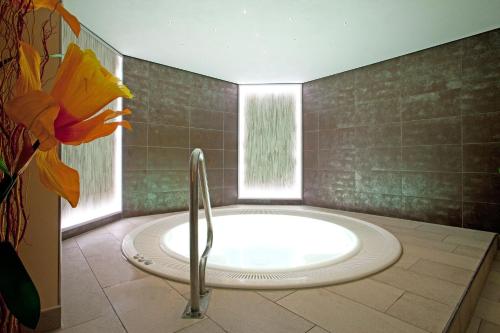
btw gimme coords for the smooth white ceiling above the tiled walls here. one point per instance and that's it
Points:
(280, 41)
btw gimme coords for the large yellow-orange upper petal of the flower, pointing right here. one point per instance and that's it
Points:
(83, 87)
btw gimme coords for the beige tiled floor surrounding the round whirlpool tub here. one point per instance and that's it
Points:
(101, 292)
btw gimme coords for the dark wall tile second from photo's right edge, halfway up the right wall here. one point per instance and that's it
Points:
(432, 132)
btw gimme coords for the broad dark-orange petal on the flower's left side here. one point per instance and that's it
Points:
(37, 111)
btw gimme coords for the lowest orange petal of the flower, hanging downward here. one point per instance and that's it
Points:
(58, 177)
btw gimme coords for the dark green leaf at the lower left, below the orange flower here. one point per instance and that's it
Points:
(16, 287)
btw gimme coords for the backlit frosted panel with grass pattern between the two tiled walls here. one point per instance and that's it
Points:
(270, 142)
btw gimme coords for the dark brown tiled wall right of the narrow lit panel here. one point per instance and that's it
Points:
(431, 117)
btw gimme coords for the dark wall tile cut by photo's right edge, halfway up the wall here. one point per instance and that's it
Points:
(482, 128)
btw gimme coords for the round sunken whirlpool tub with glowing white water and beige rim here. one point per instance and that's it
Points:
(266, 248)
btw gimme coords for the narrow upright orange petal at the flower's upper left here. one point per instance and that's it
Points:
(29, 67)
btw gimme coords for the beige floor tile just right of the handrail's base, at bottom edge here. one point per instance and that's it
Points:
(245, 311)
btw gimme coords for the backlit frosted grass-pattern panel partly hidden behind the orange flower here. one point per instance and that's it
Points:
(99, 162)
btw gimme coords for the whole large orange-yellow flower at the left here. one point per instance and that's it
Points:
(69, 114)
